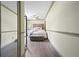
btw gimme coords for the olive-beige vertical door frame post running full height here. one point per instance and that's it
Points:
(20, 28)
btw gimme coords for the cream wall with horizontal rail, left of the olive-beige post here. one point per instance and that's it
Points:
(8, 23)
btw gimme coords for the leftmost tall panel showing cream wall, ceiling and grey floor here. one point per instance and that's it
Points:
(8, 28)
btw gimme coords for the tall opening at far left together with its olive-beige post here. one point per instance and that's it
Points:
(12, 29)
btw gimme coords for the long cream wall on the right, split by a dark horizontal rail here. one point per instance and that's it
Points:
(64, 17)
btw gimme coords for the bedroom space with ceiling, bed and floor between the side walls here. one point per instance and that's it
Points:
(37, 37)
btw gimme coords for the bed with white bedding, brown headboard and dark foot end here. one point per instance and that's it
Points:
(38, 32)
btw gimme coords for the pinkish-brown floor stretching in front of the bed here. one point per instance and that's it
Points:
(40, 49)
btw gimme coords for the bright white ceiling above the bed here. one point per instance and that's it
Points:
(36, 9)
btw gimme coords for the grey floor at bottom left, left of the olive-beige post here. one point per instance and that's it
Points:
(9, 50)
